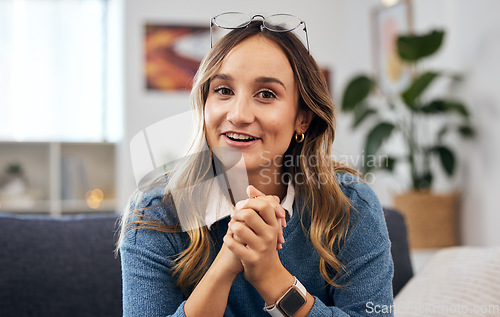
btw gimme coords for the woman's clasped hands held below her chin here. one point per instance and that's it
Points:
(254, 235)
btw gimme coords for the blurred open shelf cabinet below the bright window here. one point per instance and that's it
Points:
(57, 177)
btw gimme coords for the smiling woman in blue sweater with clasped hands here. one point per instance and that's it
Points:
(259, 92)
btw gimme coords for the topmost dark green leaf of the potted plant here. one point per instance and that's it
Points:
(414, 47)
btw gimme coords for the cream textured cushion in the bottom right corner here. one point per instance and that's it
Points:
(457, 281)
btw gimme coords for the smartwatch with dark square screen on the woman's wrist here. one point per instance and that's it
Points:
(288, 304)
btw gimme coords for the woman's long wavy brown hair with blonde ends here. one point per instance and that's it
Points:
(327, 208)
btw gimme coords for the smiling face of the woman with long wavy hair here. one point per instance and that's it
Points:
(252, 104)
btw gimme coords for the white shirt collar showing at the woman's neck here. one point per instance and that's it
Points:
(220, 207)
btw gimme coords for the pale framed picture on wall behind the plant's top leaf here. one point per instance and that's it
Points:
(387, 23)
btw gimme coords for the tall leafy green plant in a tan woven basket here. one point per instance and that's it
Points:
(423, 124)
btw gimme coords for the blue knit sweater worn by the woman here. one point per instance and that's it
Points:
(366, 285)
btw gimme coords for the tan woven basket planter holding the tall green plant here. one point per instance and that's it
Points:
(431, 219)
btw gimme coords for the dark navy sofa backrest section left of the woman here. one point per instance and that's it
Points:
(59, 266)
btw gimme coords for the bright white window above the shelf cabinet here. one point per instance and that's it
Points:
(53, 74)
